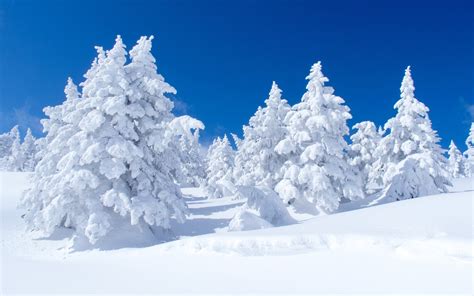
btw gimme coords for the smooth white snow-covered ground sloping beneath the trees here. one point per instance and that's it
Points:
(422, 245)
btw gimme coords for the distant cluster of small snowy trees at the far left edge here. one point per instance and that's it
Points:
(18, 156)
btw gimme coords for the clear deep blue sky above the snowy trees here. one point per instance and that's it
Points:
(222, 56)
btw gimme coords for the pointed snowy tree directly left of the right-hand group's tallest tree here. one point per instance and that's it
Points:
(256, 162)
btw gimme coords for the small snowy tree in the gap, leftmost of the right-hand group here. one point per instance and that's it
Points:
(220, 163)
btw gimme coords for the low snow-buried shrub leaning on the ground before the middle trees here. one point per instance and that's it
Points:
(262, 209)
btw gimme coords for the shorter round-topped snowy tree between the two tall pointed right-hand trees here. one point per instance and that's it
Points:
(362, 149)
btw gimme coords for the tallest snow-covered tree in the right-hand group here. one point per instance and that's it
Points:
(317, 170)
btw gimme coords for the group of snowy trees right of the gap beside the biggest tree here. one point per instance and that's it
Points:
(301, 152)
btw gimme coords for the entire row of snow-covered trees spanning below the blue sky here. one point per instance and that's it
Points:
(114, 154)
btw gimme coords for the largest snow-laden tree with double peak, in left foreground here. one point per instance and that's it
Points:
(115, 164)
